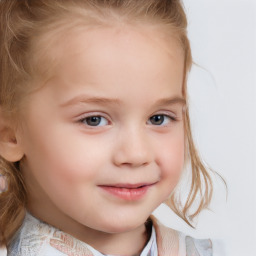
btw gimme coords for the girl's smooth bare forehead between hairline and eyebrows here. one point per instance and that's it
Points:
(116, 55)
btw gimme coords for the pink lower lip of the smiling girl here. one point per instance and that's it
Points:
(129, 194)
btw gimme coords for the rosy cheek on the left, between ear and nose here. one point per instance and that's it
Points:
(67, 160)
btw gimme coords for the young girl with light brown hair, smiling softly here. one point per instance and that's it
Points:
(94, 128)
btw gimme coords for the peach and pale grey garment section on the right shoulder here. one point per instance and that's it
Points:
(173, 242)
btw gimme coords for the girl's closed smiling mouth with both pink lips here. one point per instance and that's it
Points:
(129, 192)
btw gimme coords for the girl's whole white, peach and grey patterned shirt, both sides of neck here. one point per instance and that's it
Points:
(37, 238)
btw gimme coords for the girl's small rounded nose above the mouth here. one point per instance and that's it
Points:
(132, 148)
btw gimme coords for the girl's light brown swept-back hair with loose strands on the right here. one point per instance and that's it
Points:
(24, 23)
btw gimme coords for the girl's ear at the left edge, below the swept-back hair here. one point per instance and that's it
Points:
(10, 149)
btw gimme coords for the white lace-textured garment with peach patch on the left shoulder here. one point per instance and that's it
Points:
(38, 238)
